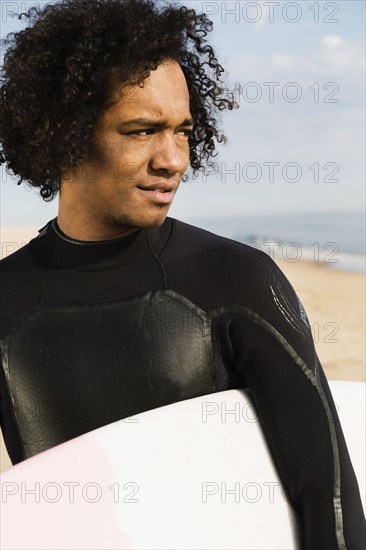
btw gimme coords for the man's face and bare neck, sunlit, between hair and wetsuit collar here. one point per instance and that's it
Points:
(135, 166)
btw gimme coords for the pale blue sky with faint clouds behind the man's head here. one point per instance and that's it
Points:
(297, 141)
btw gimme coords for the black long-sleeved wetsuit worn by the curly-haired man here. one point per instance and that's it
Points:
(95, 332)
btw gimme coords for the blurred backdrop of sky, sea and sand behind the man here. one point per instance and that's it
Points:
(290, 179)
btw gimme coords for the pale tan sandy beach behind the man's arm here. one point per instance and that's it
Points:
(335, 304)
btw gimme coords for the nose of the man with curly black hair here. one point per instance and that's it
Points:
(170, 153)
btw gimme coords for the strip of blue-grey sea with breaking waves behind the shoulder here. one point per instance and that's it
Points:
(336, 239)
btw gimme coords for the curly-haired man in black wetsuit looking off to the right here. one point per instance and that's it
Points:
(115, 308)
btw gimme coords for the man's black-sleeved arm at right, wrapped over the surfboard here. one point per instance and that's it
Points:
(272, 349)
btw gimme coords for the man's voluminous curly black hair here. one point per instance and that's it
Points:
(53, 85)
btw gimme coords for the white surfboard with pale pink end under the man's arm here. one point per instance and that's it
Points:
(194, 475)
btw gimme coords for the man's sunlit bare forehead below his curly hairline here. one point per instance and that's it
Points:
(164, 95)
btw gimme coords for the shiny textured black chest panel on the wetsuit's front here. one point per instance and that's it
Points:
(71, 369)
